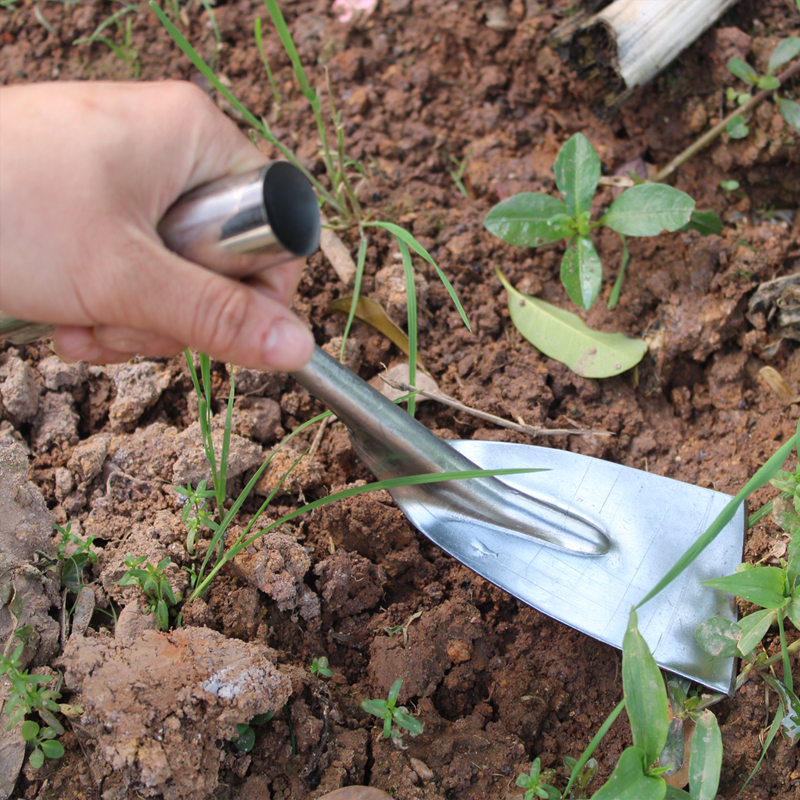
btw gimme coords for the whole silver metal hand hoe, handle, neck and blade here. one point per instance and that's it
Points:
(582, 539)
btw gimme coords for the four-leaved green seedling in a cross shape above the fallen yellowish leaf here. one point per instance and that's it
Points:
(532, 219)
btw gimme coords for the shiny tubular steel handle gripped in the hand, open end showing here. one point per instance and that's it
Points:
(236, 226)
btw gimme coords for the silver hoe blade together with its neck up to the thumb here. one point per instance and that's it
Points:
(582, 542)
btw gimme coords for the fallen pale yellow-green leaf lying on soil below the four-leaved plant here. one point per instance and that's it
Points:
(565, 337)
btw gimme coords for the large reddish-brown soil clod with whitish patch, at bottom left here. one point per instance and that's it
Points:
(159, 708)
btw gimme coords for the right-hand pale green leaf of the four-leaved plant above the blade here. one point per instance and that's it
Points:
(649, 209)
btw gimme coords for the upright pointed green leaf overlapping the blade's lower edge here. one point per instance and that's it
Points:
(645, 693)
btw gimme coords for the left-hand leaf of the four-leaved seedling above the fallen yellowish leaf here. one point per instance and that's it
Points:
(526, 220)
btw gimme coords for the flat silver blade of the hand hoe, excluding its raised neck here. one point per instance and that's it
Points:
(651, 521)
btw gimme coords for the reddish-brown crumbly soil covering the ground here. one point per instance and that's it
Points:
(423, 86)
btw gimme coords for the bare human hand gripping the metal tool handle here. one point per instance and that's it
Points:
(88, 170)
